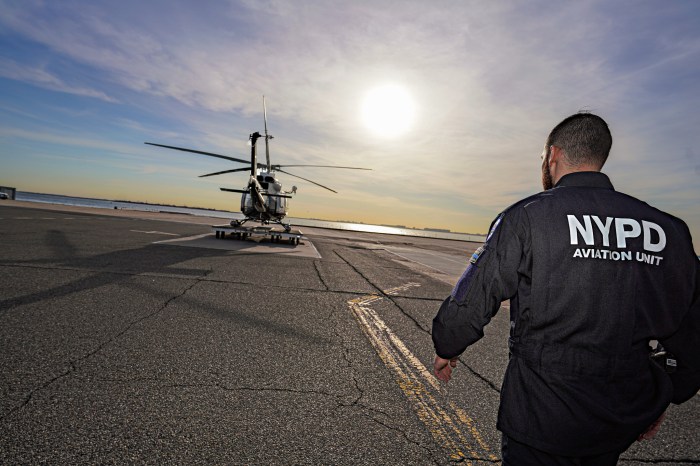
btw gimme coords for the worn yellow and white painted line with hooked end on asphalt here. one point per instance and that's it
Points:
(450, 426)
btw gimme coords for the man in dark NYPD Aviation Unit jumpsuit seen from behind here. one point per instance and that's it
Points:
(593, 275)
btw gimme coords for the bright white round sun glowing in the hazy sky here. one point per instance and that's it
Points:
(388, 110)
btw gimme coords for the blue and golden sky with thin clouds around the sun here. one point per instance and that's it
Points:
(83, 84)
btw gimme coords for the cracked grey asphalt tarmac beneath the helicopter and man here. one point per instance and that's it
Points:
(128, 339)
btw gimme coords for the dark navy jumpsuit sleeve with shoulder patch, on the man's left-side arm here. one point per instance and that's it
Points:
(490, 278)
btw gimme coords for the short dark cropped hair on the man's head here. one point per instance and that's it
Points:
(585, 139)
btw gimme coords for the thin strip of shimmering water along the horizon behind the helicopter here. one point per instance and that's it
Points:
(105, 204)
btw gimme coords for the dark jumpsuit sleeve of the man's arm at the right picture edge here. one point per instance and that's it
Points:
(685, 346)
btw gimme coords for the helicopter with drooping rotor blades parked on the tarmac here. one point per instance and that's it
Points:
(263, 199)
